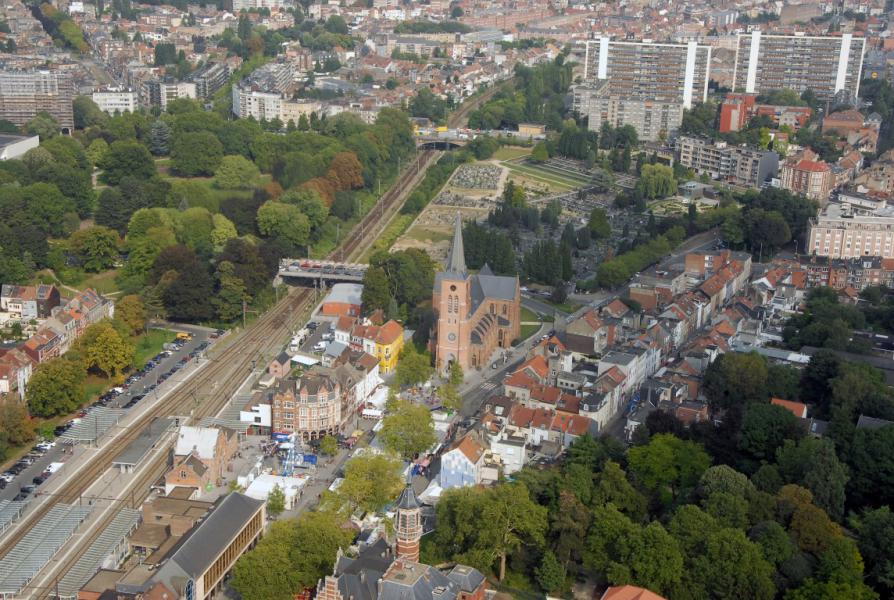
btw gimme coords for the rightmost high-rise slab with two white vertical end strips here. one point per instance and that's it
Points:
(827, 65)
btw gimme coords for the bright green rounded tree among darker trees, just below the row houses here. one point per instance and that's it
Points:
(668, 465)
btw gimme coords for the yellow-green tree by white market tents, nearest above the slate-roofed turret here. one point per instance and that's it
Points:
(371, 481)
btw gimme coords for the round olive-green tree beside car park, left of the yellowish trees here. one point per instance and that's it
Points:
(55, 388)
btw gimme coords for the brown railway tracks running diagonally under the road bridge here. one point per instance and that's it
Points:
(208, 390)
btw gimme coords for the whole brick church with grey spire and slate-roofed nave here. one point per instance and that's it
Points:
(476, 313)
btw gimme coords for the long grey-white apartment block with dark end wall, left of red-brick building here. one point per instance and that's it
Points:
(739, 165)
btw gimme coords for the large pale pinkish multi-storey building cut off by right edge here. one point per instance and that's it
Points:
(837, 233)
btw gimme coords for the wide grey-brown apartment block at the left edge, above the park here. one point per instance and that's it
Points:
(23, 94)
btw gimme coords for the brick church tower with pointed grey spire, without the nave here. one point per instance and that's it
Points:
(453, 306)
